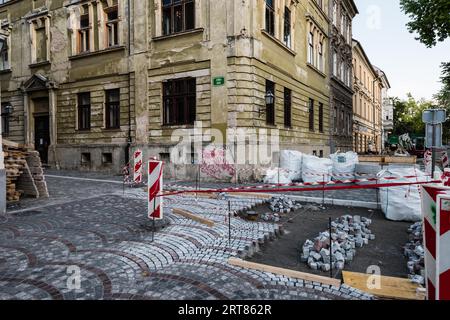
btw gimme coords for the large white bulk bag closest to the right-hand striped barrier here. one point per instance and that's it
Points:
(401, 203)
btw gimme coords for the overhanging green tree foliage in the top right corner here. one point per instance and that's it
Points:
(429, 18)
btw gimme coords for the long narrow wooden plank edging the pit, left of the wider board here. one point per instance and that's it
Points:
(285, 272)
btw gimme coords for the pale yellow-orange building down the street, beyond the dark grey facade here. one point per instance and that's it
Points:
(367, 122)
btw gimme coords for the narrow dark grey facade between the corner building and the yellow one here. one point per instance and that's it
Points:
(342, 13)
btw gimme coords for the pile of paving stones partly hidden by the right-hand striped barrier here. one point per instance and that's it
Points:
(415, 253)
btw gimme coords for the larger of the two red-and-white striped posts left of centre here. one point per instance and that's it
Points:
(155, 187)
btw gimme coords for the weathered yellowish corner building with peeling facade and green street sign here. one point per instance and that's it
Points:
(87, 79)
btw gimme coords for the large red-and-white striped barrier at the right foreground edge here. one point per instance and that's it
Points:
(436, 220)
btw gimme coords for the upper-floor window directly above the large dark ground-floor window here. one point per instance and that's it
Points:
(178, 16)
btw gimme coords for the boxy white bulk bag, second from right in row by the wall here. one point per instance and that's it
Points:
(316, 169)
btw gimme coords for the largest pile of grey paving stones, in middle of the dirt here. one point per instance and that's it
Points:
(347, 233)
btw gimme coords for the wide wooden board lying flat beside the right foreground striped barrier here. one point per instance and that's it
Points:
(391, 288)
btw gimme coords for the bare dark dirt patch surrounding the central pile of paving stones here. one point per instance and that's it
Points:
(385, 251)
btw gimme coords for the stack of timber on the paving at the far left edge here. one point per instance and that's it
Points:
(24, 174)
